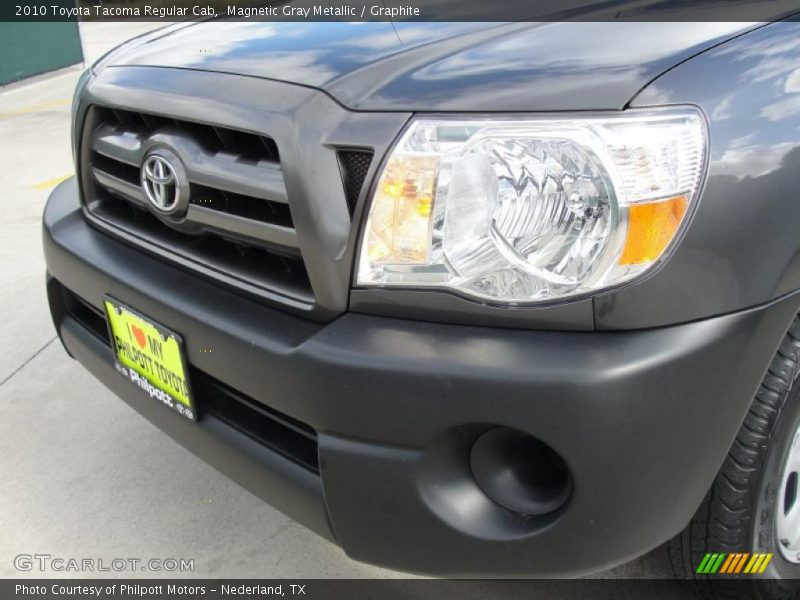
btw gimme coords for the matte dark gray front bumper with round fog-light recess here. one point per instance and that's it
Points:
(643, 419)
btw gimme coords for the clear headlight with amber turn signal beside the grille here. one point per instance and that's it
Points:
(532, 210)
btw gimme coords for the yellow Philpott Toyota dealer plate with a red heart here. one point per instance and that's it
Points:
(151, 357)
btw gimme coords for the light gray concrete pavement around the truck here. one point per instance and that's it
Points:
(82, 475)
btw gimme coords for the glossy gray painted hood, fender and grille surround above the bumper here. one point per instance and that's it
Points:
(720, 265)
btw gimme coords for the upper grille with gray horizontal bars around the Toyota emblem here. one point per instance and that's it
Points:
(238, 225)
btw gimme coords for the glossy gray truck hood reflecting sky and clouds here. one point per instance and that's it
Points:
(441, 66)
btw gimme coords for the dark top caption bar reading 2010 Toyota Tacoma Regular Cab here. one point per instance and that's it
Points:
(393, 10)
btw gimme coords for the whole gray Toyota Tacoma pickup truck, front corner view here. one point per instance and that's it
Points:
(467, 299)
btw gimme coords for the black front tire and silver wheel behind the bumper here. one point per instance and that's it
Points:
(754, 504)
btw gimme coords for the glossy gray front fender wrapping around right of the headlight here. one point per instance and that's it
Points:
(742, 248)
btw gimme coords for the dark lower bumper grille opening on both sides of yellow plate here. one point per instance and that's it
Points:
(289, 437)
